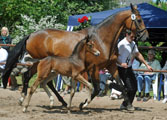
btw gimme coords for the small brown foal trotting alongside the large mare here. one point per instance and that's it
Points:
(72, 66)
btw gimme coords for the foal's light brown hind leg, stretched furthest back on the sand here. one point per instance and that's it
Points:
(32, 90)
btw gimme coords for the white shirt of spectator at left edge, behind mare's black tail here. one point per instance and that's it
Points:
(3, 56)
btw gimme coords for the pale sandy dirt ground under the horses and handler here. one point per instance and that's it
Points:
(101, 108)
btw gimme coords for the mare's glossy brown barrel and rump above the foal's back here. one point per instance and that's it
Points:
(50, 42)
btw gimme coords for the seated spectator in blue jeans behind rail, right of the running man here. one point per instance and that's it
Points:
(147, 77)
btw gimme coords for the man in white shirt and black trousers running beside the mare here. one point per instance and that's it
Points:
(127, 50)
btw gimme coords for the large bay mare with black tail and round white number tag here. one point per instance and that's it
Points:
(47, 42)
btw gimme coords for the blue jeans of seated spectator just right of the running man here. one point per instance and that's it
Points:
(147, 79)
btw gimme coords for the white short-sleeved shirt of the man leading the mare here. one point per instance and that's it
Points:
(125, 51)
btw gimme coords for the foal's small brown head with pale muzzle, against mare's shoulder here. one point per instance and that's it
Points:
(90, 47)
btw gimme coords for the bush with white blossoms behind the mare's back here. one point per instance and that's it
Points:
(29, 25)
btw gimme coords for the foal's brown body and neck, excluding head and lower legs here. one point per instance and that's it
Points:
(68, 66)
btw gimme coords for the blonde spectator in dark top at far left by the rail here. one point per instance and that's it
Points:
(5, 38)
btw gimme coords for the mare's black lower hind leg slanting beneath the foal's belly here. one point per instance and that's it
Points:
(50, 84)
